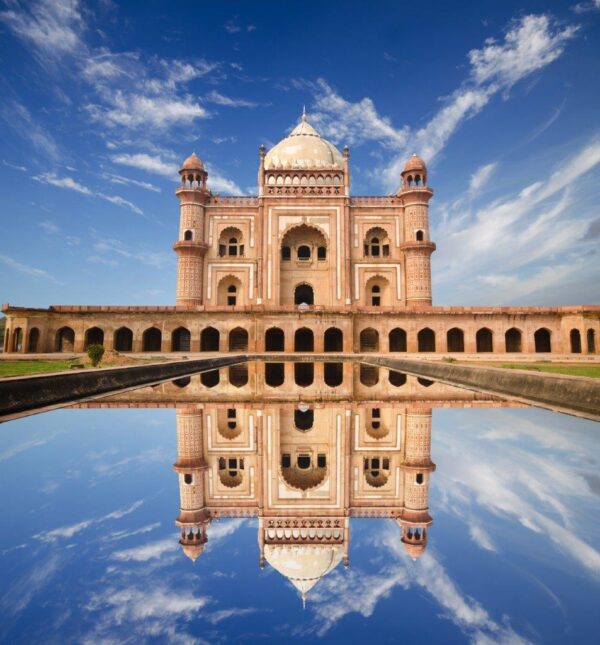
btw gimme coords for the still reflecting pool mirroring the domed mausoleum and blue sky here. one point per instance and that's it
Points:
(447, 520)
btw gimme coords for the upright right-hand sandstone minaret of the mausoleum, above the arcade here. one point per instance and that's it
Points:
(417, 246)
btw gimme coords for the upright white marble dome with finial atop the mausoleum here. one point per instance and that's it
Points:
(304, 148)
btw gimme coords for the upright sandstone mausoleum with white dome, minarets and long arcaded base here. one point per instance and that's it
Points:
(304, 253)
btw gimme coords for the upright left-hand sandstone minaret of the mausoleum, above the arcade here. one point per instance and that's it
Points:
(191, 247)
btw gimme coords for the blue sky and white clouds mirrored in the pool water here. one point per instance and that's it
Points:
(89, 551)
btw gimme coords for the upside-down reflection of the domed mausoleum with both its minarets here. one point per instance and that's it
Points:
(304, 472)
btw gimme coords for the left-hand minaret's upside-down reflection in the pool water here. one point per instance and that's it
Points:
(194, 517)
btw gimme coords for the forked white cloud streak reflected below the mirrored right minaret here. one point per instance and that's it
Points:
(359, 592)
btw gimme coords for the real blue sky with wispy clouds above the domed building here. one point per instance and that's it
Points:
(100, 101)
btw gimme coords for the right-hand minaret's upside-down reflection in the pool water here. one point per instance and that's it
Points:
(416, 467)
